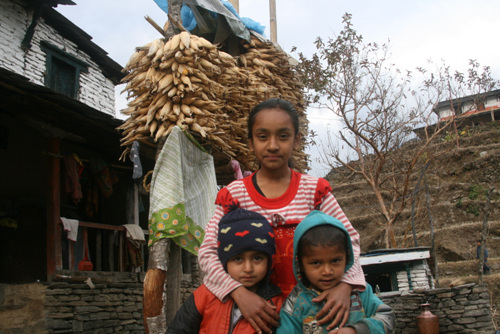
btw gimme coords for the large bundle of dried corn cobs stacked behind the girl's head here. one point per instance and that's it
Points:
(187, 81)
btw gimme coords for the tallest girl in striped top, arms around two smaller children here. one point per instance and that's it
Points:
(284, 197)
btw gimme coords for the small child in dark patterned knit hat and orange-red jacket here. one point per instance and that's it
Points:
(245, 249)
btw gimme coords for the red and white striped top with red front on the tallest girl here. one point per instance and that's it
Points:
(304, 194)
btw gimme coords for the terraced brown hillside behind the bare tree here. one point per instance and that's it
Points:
(458, 179)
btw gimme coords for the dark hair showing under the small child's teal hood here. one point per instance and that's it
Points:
(323, 235)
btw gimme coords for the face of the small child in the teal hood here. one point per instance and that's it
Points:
(323, 266)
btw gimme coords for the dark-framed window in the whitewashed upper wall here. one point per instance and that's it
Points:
(62, 70)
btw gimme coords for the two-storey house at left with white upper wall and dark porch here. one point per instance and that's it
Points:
(60, 151)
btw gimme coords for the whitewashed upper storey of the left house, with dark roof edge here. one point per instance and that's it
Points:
(43, 46)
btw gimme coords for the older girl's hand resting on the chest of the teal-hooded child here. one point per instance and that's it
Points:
(336, 308)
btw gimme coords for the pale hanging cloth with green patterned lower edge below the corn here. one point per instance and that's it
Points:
(183, 190)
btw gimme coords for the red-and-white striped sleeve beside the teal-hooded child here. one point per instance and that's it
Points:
(354, 276)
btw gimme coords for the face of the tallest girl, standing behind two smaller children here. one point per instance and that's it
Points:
(273, 138)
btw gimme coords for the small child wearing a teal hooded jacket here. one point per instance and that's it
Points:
(323, 252)
